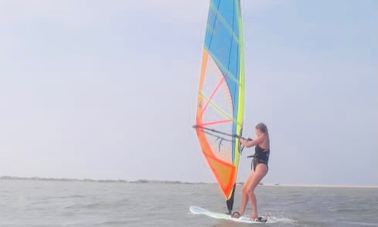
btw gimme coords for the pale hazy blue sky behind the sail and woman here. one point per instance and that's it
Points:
(99, 90)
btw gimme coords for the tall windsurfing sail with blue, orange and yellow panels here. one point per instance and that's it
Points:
(220, 101)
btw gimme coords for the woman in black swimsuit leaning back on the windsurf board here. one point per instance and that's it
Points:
(260, 168)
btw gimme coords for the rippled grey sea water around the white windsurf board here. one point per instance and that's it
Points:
(91, 203)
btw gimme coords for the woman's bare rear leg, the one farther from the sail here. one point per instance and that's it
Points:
(260, 172)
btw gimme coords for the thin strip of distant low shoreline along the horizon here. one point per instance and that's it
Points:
(142, 181)
